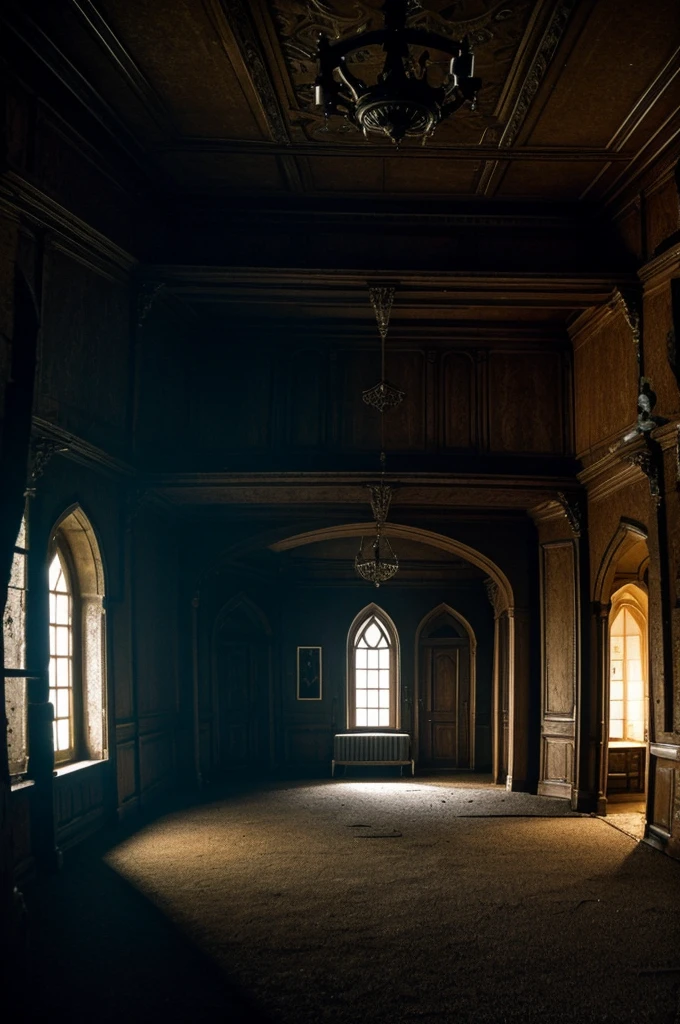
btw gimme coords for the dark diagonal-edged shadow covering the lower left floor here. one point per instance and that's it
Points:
(101, 952)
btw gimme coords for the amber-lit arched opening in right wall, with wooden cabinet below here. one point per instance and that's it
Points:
(628, 698)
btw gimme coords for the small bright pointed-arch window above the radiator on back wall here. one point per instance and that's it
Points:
(373, 672)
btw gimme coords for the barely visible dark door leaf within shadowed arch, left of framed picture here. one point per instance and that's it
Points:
(243, 703)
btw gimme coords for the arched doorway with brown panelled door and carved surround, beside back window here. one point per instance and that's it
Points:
(446, 692)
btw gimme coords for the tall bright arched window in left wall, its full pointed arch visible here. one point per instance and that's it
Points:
(77, 643)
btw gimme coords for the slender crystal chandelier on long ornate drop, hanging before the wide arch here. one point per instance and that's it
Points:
(379, 564)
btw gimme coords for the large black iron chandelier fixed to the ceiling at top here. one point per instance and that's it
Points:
(403, 103)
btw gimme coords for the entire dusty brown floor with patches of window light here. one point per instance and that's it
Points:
(372, 902)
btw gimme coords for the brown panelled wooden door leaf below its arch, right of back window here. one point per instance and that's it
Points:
(445, 705)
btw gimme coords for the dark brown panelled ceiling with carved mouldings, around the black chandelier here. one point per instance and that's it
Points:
(215, 97)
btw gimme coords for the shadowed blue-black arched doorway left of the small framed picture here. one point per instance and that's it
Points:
(241, 689)
